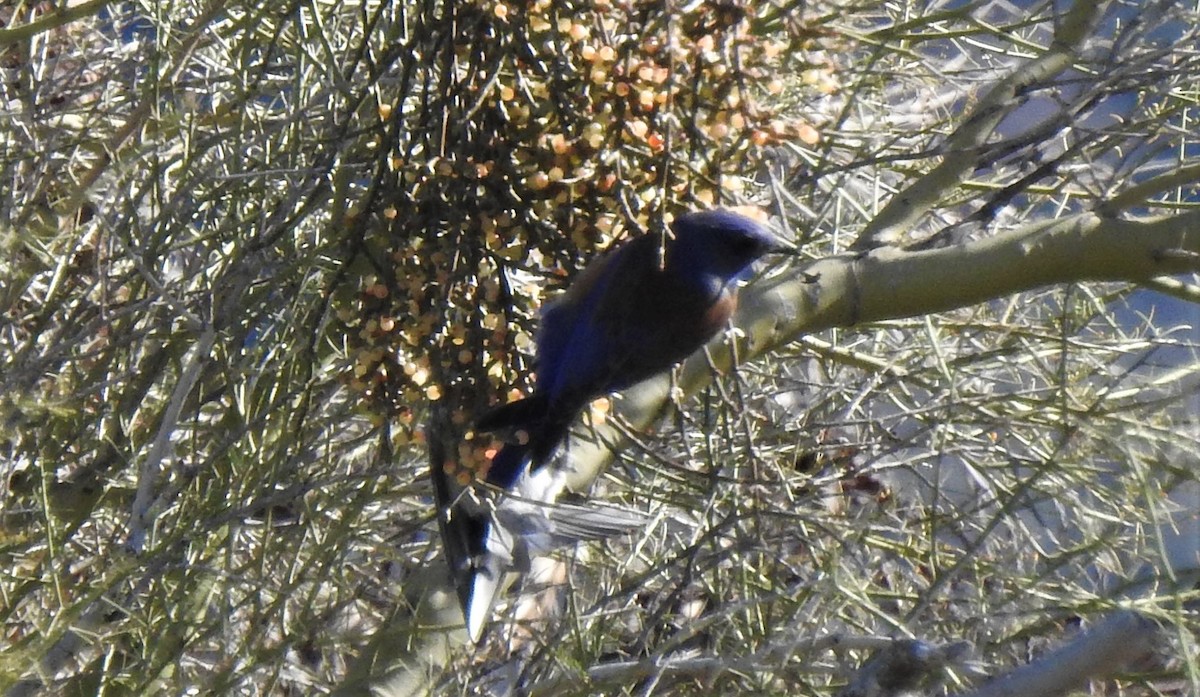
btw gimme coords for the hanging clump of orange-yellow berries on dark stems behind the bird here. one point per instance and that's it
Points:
(553, 130)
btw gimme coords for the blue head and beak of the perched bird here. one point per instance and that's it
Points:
(719, 245)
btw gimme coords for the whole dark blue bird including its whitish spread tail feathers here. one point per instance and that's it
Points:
(633, 314)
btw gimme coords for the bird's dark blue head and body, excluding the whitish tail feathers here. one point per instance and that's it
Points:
(629, 316)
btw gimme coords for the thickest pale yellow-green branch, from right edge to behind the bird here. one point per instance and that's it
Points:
(891, 284)
